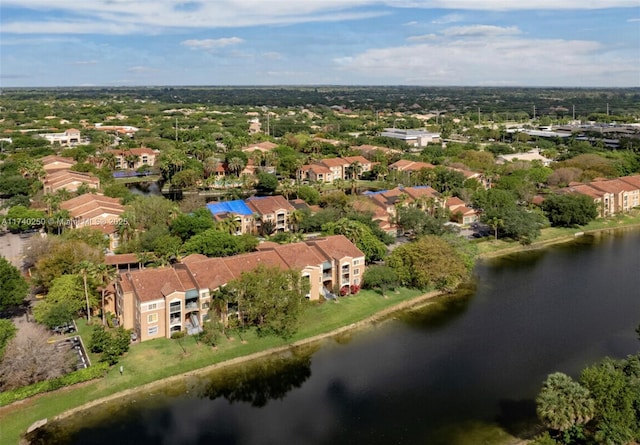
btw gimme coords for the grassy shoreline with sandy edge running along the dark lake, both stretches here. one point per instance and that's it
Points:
(321, 322)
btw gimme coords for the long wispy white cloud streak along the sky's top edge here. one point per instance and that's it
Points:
(151, 16)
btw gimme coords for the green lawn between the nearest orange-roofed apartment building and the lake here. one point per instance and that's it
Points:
(157, 359)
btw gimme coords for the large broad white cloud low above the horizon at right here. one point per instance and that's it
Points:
(488, 61)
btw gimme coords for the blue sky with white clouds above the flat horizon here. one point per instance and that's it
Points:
(563, 43)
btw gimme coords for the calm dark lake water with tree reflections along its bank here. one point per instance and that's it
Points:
(466, 362)
